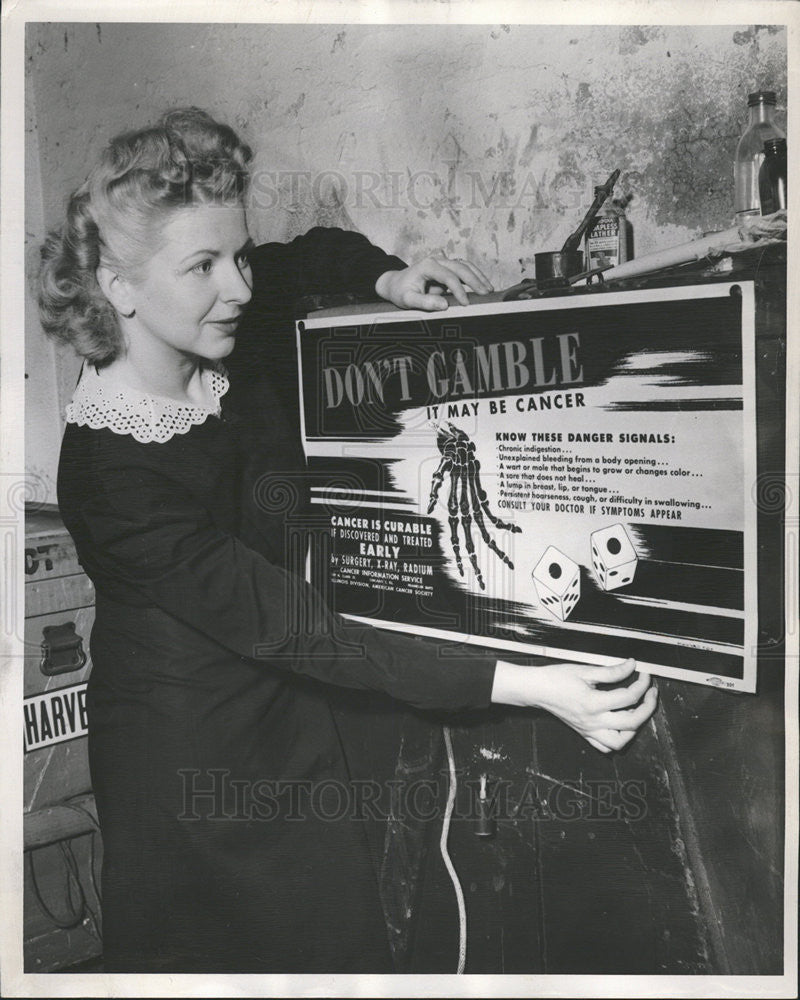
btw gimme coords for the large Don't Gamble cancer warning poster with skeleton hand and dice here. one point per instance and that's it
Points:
(566, 476)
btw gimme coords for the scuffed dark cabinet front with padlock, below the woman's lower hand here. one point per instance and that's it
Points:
(587, 872)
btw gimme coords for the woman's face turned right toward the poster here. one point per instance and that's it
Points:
(189, 296)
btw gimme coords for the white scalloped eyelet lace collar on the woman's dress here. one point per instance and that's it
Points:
(101, 402)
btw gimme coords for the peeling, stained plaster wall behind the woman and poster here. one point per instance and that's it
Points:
(484, 141)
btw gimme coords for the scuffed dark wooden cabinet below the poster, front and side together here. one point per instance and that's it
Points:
(666, 858)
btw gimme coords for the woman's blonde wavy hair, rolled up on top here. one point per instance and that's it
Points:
(187, 158)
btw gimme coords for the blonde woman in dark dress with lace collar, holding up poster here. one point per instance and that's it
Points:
(210, 728)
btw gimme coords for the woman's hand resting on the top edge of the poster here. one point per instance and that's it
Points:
(423, 285)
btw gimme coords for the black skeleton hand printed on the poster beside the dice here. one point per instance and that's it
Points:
(466, 495)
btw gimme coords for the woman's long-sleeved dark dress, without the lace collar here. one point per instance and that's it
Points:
(221, 785)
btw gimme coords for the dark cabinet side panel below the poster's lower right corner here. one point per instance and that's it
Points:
(728, 767)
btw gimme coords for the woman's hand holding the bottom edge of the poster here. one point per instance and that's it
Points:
(607, 718)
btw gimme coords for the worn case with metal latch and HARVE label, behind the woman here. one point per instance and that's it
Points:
(62, 842)
